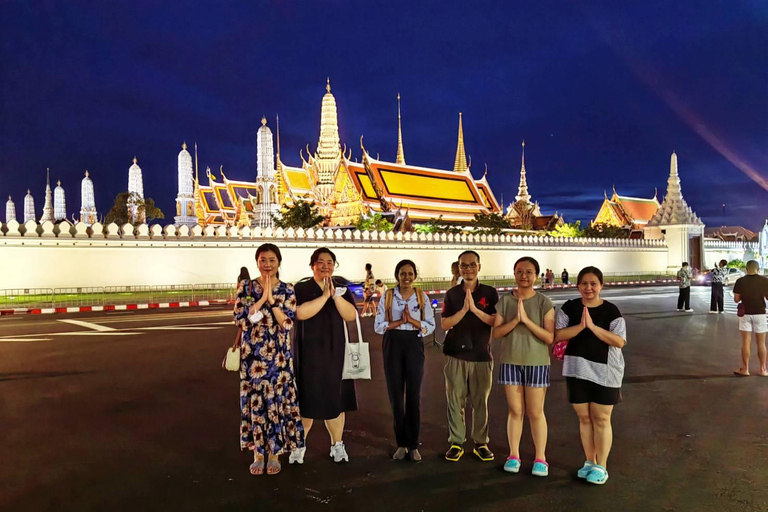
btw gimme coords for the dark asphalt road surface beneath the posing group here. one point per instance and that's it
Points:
(131, 411)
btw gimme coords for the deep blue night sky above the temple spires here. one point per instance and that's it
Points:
(602, 93)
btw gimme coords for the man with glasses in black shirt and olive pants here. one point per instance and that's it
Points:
(469, 311)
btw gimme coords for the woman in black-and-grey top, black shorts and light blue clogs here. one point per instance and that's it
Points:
(593, 367)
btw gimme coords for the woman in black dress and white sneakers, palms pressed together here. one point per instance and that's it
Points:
(320, 345)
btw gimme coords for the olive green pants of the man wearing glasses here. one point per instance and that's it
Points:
(467, 379)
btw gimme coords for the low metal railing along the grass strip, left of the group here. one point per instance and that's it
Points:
(41, 298)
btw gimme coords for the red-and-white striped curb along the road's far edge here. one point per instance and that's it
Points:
(199, 303)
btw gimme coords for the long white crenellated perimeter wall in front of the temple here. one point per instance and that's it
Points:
(66, 261)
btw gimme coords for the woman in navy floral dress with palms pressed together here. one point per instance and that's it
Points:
(270, 420)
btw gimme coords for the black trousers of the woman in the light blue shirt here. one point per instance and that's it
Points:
(404, 371)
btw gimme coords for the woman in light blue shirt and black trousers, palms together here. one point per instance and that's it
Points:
(404, 317)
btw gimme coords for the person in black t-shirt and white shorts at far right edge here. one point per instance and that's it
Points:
(750, 292)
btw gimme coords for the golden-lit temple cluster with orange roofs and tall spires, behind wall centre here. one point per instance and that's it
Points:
(343, 189)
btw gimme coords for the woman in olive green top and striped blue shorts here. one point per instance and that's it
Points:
(525, 324)
